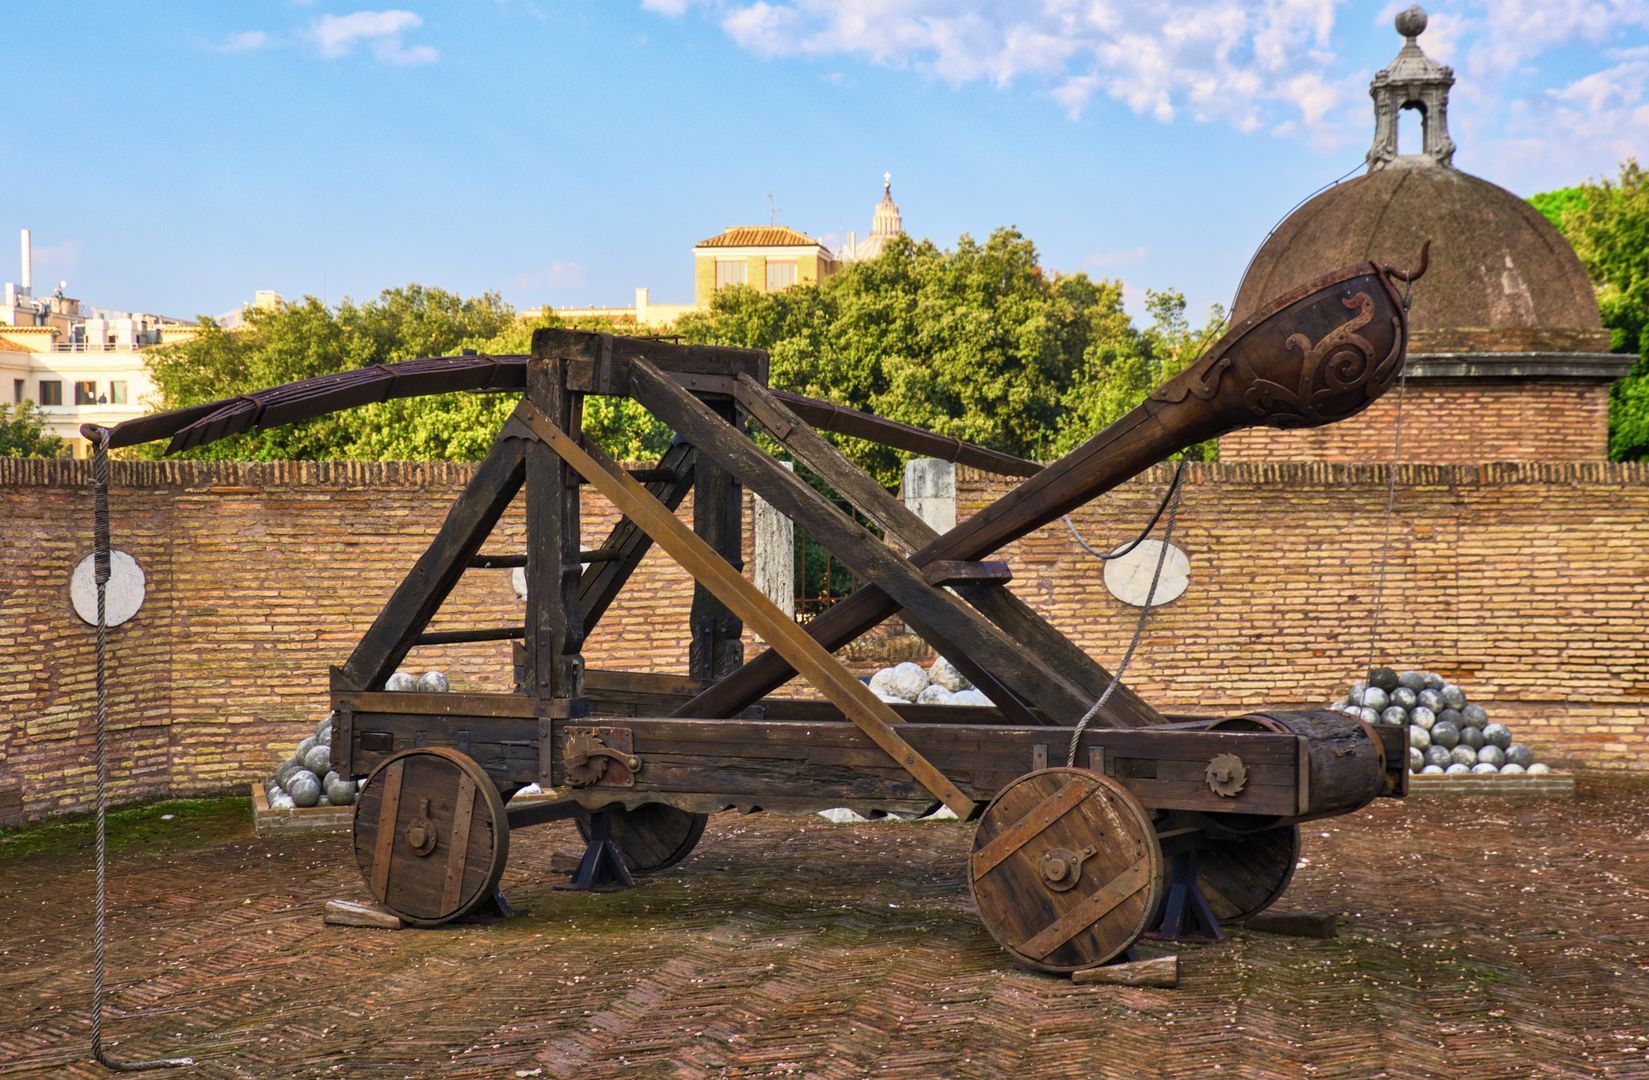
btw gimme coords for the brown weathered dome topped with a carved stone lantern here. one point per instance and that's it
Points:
(1501, 278)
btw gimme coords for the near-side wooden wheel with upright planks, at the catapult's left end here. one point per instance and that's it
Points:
(431, 835)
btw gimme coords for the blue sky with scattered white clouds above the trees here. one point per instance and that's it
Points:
(176, 157)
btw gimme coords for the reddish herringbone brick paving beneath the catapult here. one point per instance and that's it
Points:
(1483, 939)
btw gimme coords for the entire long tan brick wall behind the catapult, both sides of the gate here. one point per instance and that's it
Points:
(1526, 581)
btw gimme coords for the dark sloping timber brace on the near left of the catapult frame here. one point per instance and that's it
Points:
(423, 591)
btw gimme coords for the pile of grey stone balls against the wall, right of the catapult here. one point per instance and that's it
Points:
(1447, 735)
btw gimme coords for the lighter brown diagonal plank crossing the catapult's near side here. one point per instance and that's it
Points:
(745, 599)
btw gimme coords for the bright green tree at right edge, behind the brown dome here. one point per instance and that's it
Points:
(1609, 225)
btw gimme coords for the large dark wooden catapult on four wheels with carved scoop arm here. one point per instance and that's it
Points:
(1163, 825)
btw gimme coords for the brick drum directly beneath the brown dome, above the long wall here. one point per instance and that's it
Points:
(1452, 423)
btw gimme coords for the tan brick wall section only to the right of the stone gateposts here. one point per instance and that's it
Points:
(1526, 583)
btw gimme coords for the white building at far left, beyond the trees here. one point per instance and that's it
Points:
(80, 365)
